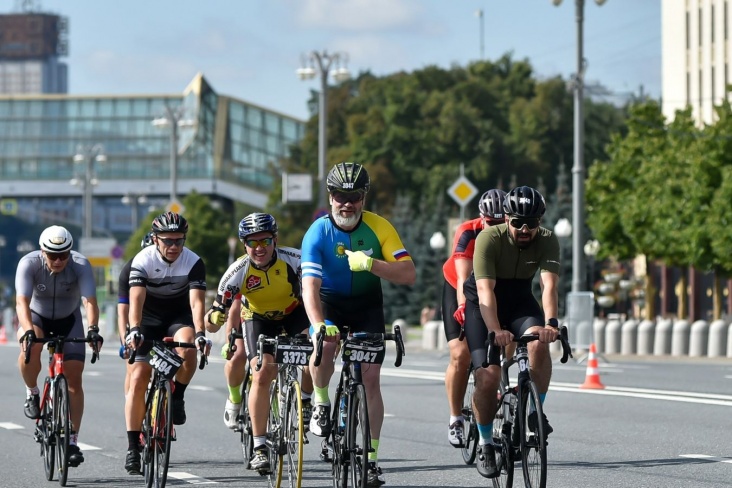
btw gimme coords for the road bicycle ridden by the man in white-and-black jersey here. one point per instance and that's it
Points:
(157, 425)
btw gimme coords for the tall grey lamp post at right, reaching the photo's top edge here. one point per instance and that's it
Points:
(578, 169)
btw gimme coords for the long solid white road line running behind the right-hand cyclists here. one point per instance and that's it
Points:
(669, 395)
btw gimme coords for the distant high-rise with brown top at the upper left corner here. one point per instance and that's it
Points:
(30, 47)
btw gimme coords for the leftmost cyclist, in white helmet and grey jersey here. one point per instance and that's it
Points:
(49, 287)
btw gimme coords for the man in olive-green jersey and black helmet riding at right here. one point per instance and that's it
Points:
(500, 300)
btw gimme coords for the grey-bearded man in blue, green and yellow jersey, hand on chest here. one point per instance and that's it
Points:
(344, 257)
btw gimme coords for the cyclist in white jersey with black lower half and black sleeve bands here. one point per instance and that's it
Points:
(167, 293)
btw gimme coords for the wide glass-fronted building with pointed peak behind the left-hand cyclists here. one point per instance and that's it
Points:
(226, 148)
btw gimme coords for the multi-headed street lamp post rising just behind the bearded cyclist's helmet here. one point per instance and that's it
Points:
(323, 61)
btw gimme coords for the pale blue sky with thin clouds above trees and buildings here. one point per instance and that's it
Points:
(250, 49)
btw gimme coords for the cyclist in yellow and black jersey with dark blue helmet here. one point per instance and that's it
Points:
(265, 284)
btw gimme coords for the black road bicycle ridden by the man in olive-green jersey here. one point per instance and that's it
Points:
(518, 425)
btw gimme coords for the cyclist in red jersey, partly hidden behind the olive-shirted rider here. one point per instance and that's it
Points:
(457, 269)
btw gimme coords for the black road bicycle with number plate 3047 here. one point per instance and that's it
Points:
(349, 442)
